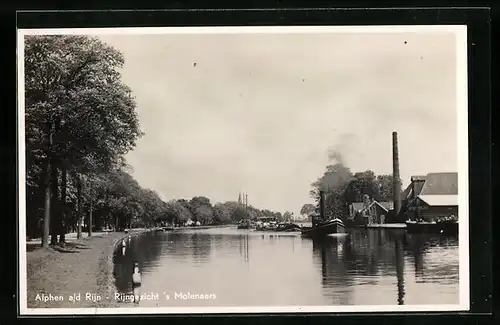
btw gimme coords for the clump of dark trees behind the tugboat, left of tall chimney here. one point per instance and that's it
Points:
(342, 188)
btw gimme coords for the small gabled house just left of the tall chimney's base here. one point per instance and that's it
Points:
(370, 212)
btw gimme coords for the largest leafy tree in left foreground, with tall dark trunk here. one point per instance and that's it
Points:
(79, 115)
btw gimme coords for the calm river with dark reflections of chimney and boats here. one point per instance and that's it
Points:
(231, 267)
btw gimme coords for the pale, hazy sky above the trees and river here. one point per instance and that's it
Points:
(259, 113)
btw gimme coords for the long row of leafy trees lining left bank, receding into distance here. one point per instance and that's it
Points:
(81, 121)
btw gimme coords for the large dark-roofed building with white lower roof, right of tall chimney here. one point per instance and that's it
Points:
(432, 196)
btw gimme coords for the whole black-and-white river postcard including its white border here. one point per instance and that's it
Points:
(243, 170)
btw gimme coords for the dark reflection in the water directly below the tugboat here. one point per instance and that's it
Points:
(335, 279)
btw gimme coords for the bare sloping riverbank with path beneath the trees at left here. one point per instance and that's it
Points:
(83, 267)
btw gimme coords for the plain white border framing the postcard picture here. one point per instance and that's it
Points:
(462, 106)
